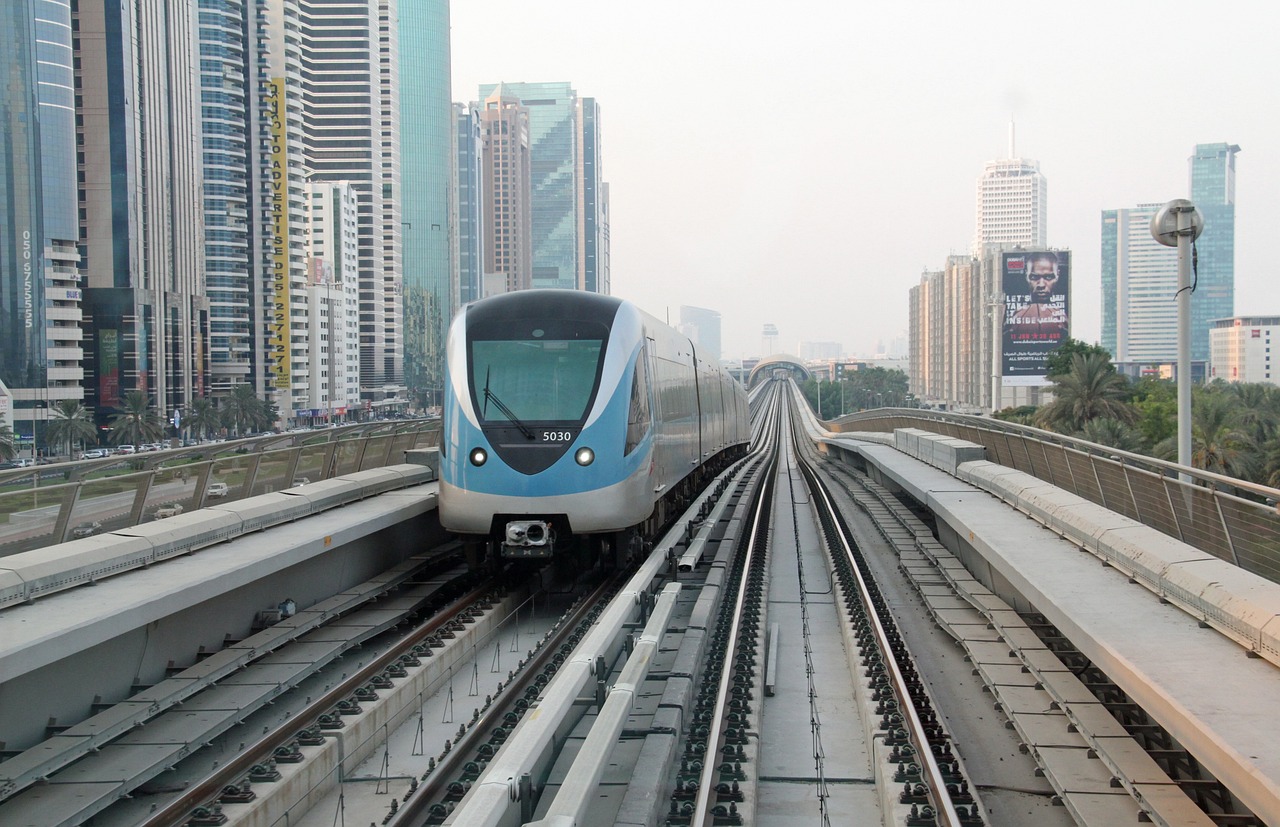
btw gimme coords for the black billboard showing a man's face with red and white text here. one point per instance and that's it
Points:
(1037, 313)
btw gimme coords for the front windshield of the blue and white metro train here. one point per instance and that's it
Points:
(536, 380)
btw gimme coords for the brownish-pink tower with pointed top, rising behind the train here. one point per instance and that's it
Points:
(508, 212)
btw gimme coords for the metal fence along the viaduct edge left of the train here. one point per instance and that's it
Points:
(53, 504)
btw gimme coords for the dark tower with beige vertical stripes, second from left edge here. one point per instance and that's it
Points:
(140, 199)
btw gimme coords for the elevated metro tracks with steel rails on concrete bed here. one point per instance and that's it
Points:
(762, 664)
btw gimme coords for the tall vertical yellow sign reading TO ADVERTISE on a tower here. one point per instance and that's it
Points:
(280, 341)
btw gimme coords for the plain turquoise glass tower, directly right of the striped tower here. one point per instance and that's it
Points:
(431, 281)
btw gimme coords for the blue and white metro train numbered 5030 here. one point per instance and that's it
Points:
(574, 419)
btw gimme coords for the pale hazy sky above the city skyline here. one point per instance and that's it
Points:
(802, 165)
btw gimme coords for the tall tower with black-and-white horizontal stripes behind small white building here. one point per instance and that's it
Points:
(351, 132)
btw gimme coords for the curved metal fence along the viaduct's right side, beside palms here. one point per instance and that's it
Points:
(1231, 519)
